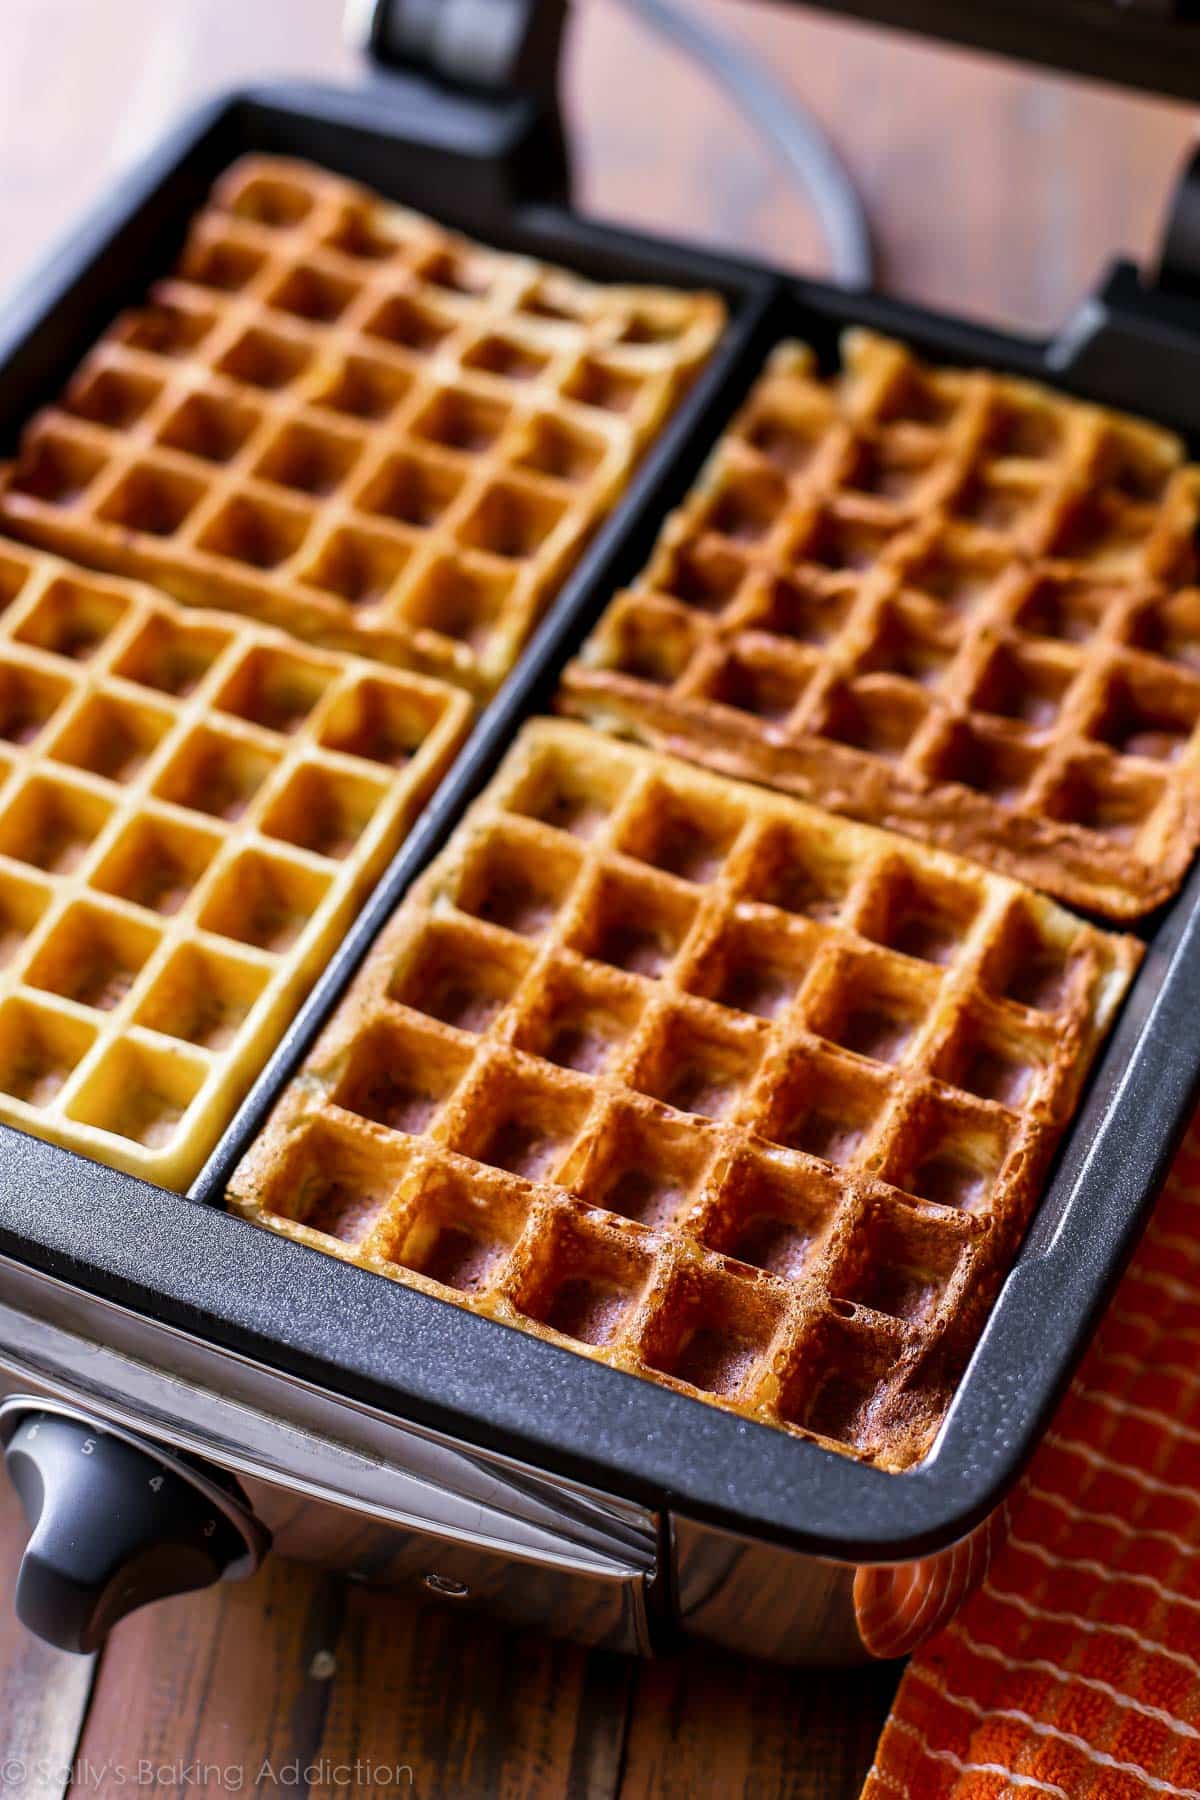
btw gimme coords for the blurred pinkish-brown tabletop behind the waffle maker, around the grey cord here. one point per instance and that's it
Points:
(992, 190)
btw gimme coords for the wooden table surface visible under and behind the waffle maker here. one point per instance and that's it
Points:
(992, 192)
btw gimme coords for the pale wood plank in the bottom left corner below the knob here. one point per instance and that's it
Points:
(44, 1693)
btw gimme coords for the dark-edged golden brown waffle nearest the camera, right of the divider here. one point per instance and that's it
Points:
(703, 1083)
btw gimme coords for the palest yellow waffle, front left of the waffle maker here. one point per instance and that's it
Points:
(192, 807)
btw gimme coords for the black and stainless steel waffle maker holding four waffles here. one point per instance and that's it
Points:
(183, 1394)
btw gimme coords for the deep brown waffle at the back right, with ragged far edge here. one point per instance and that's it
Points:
(942, 602)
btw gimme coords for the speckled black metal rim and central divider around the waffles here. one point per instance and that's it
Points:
(210, 1273)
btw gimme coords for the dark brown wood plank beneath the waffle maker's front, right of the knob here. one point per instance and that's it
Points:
(298, 1671)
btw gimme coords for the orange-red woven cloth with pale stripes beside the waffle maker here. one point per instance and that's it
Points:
(1075, 1671)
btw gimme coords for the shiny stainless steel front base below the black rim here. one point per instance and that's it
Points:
(393, 1504)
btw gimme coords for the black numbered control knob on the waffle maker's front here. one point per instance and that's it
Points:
(114, 1524)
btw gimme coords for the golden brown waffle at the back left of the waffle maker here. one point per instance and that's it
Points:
(355, 426)
